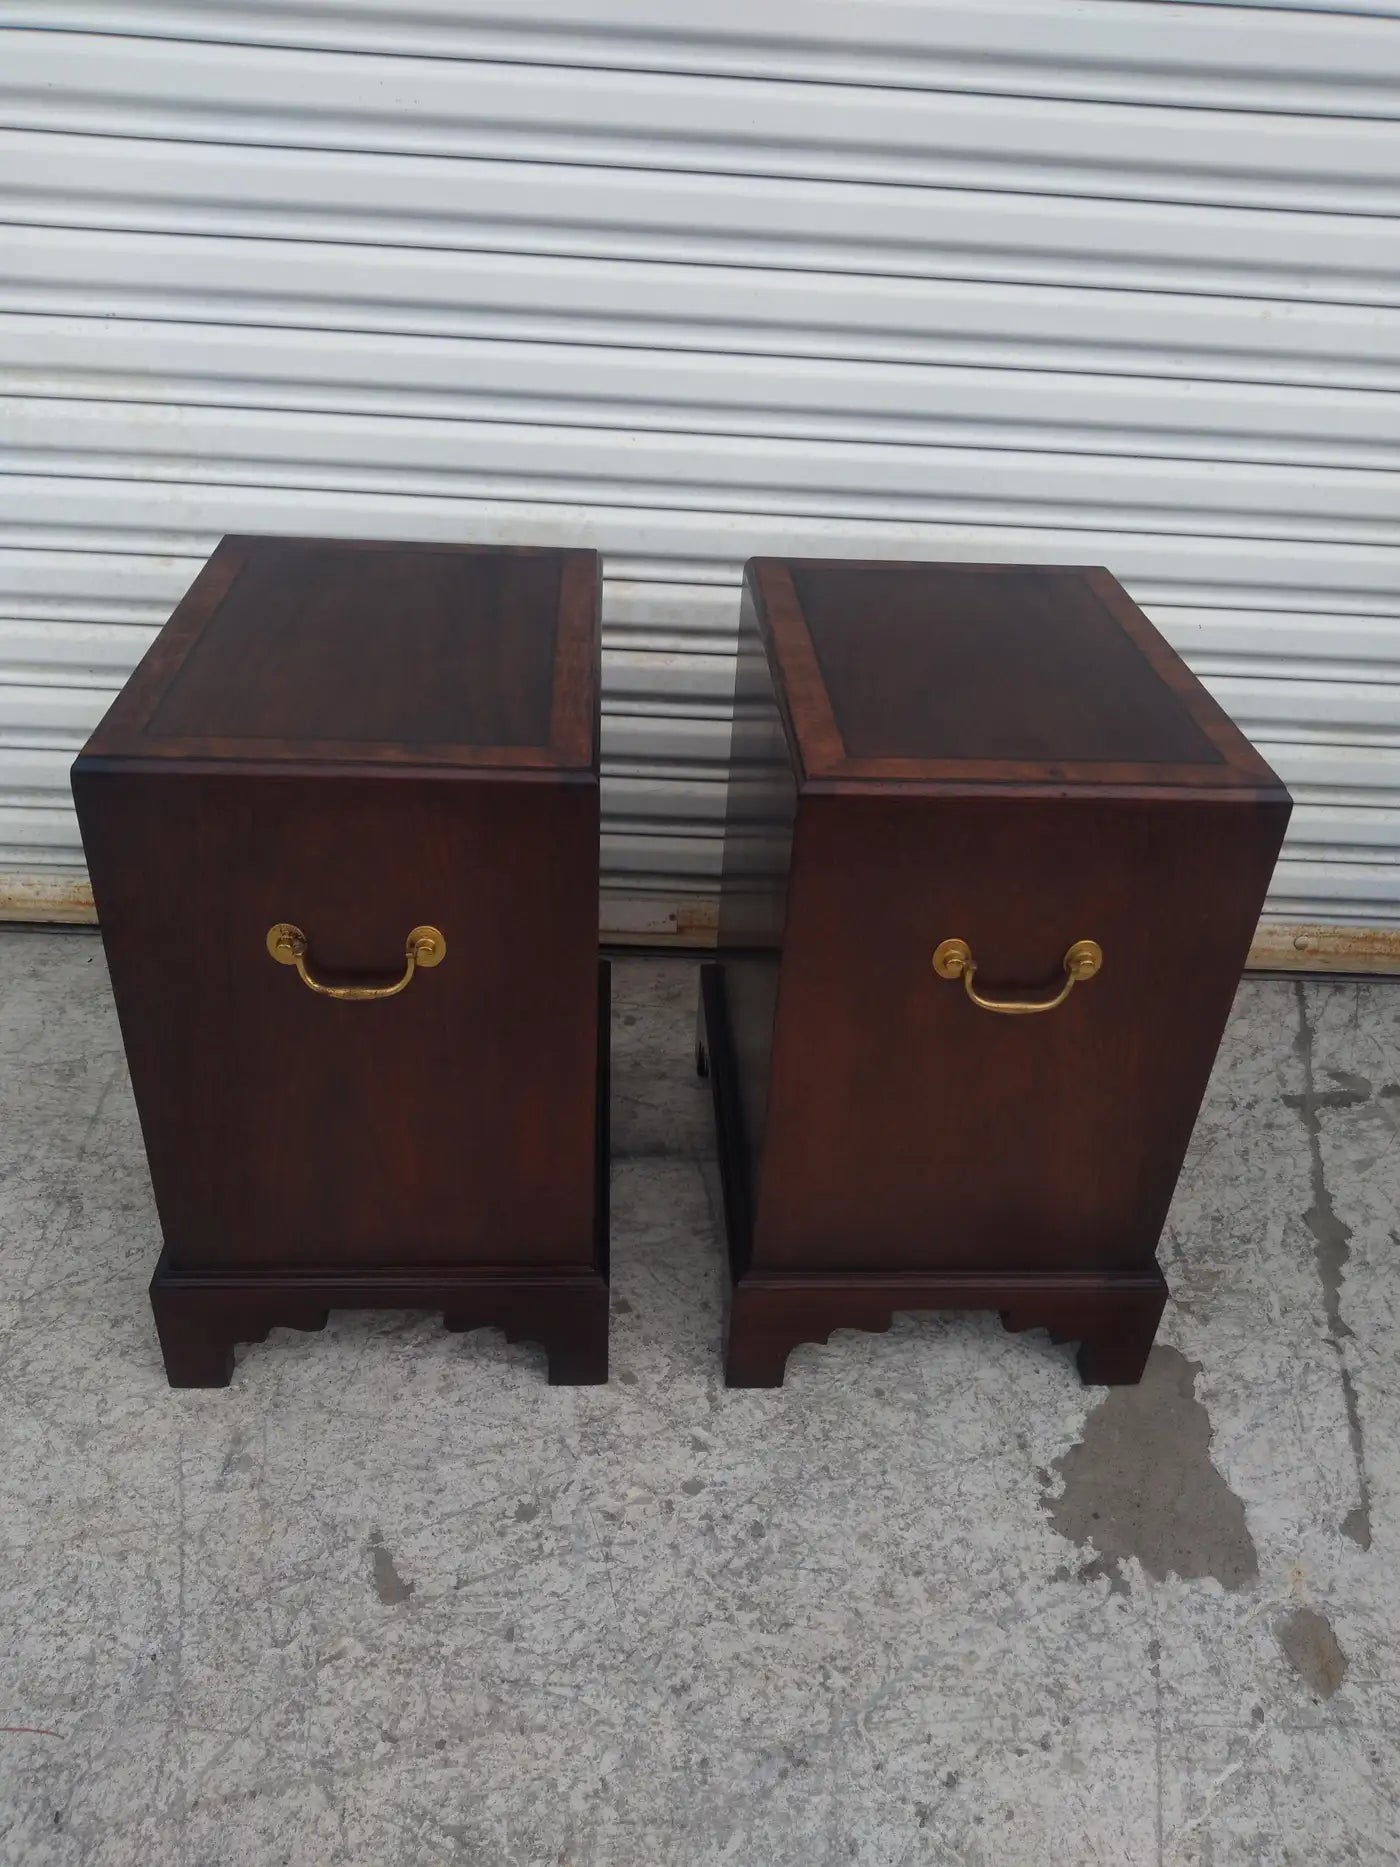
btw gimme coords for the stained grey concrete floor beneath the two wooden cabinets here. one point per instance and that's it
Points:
(391, 1599)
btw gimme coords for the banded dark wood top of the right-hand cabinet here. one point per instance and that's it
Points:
(987, 675)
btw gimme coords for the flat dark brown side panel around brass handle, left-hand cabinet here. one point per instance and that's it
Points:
(451, 1123)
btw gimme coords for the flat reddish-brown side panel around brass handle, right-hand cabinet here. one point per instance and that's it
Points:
(912, 1129)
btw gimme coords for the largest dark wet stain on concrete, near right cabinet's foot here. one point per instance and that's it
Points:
(1141, 1483)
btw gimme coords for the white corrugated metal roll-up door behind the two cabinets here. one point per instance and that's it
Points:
(1113, 283)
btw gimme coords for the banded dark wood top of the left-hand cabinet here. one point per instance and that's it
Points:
(427, 654)
